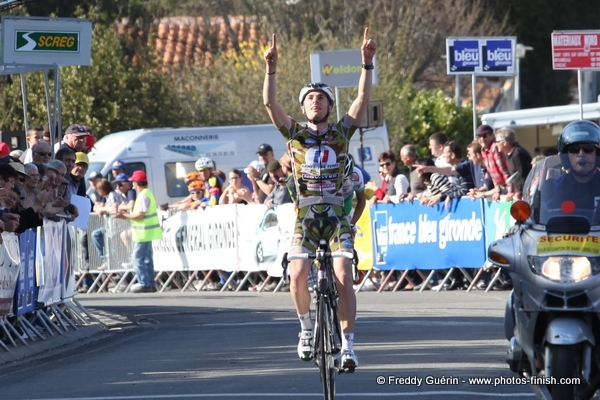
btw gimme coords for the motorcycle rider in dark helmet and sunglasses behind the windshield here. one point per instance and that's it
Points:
(579, 148)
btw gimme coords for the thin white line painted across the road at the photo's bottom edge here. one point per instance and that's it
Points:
(318, 395)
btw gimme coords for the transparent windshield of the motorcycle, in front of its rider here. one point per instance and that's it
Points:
(565, 185)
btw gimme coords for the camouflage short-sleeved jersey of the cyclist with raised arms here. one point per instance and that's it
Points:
(318, 161)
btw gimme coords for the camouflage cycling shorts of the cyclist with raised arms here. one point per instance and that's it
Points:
(321, 221)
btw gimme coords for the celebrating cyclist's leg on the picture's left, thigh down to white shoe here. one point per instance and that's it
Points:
(298, 270)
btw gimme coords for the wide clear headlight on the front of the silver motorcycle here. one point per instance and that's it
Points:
(565, 269)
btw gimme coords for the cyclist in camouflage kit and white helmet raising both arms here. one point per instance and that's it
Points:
(317, 151)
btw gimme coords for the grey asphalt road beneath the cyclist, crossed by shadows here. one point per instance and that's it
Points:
(243, 346)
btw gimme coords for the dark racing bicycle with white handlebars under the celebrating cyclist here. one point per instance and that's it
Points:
(327, 330)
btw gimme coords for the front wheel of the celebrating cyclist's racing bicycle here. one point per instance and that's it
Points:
(324, 348)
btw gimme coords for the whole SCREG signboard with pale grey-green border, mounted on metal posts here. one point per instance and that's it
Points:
(46, 41)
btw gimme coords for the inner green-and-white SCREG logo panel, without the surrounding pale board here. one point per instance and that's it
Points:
(47, 41)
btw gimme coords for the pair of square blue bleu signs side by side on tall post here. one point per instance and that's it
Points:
(481, 55)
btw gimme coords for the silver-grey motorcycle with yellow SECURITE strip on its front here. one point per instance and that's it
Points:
(552, 253)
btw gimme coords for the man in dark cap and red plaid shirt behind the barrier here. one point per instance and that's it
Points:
(494, 161)
